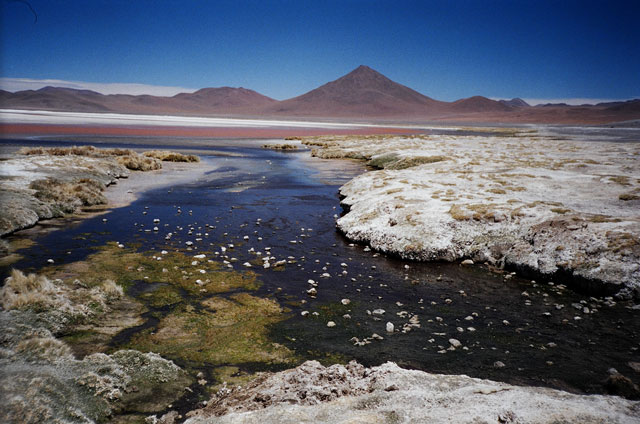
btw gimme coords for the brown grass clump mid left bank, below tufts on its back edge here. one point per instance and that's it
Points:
(69, 195)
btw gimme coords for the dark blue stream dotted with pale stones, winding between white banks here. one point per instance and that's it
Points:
(510, 329)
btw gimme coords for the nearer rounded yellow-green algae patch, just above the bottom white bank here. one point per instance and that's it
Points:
(221, 330)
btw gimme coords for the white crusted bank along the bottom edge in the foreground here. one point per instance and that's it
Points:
(387, 393)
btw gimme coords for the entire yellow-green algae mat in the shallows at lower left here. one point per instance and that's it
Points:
(203, 313)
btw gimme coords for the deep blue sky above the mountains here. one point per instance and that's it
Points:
(444, 49)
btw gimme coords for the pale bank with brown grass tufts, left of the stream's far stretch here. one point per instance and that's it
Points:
(39, 183)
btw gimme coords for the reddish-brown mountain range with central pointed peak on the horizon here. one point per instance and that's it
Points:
(362, 94)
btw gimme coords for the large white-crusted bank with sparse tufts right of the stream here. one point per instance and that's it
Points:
(555, 208)
